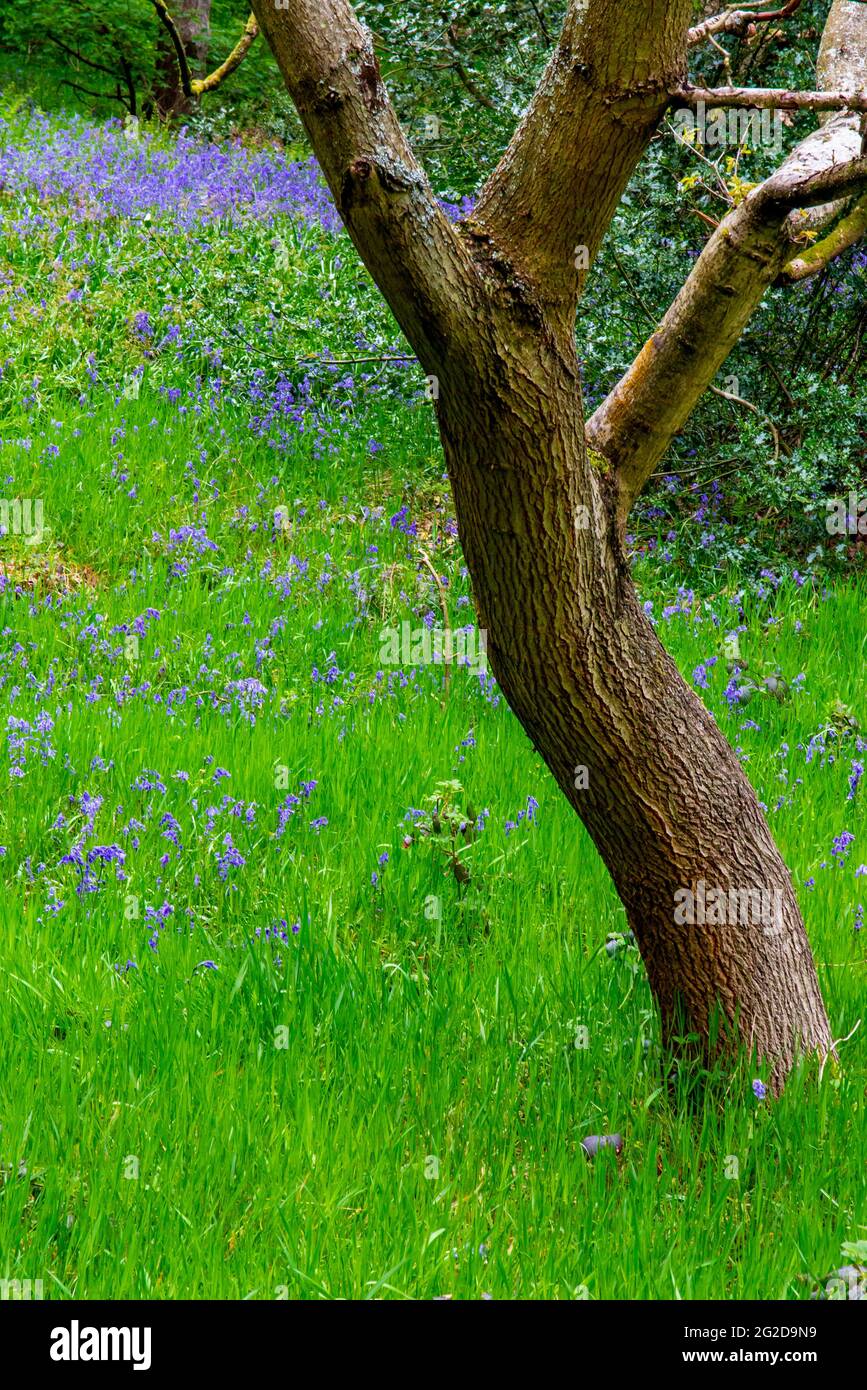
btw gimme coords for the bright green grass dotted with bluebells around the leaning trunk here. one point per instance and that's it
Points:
(393, 1102)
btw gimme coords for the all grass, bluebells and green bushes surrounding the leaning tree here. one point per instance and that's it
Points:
(316, 981)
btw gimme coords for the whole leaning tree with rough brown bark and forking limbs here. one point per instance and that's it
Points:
(543, 498)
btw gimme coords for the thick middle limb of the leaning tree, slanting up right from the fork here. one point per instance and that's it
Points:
(595, 111)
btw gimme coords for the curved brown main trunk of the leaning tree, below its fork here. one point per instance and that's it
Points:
(634, 750)
